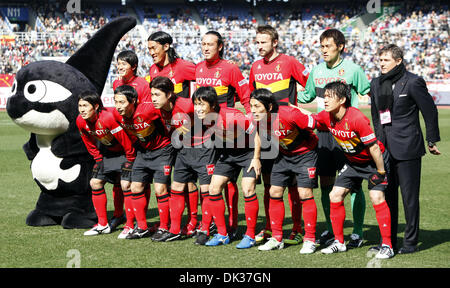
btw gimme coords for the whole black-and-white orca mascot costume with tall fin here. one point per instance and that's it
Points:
(44, 101)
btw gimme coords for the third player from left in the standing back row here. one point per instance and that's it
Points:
(227, 80)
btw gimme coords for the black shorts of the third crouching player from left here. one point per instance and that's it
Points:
(192, 163)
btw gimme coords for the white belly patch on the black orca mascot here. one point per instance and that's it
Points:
(46, 166)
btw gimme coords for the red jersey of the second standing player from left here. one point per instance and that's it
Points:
(181, 72)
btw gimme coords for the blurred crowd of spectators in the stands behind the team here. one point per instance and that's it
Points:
(423, 33)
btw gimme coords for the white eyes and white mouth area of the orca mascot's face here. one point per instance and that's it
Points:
(43, 91)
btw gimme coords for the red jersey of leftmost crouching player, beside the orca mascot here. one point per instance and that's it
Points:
(105, 133)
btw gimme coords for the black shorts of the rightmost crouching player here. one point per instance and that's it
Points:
(352, 174)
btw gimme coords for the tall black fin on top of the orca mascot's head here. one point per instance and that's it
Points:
(93, 59)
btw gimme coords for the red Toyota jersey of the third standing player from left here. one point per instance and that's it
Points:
(227, 79)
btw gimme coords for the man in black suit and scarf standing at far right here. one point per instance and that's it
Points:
(396, 98)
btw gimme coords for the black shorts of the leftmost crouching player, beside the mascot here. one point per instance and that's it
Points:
(112, 167)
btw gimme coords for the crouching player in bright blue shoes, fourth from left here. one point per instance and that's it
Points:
(233, 132)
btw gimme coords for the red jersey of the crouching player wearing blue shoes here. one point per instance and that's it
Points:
(233, 127)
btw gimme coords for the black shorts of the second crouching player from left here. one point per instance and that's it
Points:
(154, 165)
